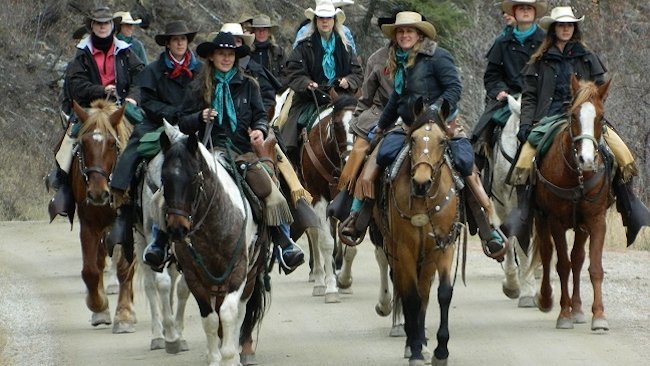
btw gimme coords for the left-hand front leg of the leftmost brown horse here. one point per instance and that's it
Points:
(92, 273)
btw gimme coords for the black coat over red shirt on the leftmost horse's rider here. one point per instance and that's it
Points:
(85, 84)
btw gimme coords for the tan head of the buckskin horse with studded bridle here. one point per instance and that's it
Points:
(428, 143)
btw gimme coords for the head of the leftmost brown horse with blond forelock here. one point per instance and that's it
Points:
(101, 135)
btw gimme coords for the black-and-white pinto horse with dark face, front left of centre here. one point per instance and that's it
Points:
(222, 251)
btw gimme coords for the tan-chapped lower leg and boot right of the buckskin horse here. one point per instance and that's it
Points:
(493, 241)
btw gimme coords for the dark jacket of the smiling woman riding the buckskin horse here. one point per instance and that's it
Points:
(434, 75)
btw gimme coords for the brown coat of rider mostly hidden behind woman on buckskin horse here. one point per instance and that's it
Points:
(375, 91)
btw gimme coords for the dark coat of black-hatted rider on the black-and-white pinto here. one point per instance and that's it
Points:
(248, 105)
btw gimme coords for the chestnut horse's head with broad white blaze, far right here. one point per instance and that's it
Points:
(586, 121)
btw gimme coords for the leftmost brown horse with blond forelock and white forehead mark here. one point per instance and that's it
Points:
(102, 134)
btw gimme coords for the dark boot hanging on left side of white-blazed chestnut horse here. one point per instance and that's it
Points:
(519, 222)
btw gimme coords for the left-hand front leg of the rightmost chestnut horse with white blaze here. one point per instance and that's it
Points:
(563, 267)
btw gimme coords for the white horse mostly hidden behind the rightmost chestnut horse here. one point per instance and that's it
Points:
(519, 282)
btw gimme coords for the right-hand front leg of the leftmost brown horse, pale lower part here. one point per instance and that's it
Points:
(124, 321)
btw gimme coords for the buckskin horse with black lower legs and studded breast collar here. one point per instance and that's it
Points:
(419, 218)
